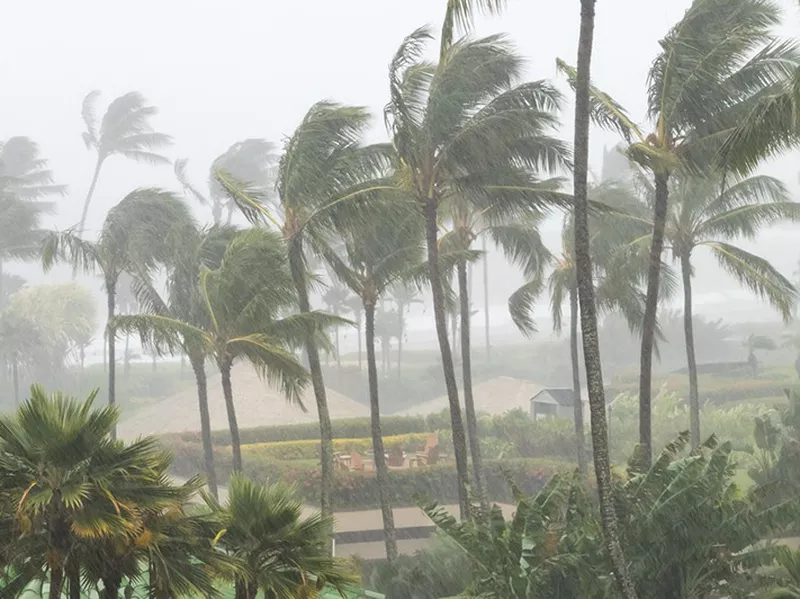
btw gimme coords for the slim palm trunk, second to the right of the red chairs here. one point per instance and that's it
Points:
(466, 375)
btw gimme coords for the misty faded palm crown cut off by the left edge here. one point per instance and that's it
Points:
(25, 182)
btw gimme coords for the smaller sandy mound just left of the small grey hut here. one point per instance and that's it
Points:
(495, 396)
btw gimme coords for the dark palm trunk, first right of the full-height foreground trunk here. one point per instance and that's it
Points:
(649, 322)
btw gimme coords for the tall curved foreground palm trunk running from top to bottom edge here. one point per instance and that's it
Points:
(588, 310)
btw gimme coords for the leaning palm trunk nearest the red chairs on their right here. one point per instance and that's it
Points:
(440, 317)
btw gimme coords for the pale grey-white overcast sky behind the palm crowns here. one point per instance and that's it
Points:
(223, 71)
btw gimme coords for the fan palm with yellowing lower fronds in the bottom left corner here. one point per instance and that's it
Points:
(70, 484)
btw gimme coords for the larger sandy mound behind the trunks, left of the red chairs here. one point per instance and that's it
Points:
(257, 404)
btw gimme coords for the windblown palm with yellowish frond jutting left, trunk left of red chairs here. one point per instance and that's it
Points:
(324, 175)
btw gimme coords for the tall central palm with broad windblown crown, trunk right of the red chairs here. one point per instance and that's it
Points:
(463, 128)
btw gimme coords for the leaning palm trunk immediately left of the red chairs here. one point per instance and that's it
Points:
(297, 267)
